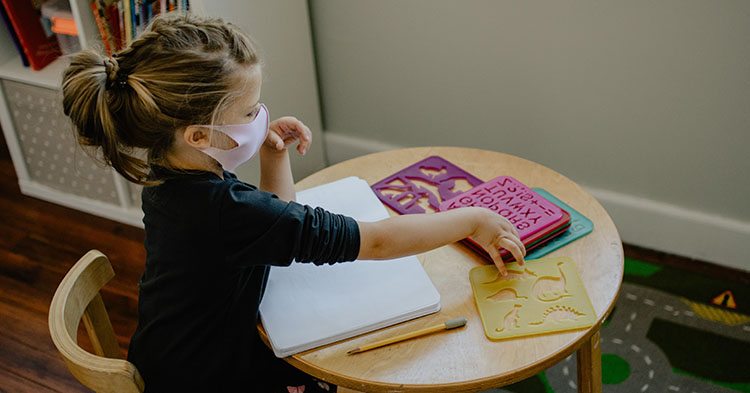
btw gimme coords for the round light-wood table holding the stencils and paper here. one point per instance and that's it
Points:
(465, 360)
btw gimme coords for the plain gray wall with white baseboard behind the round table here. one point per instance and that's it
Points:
(647, 104)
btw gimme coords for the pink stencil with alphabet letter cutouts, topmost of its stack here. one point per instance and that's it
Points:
(528, 211)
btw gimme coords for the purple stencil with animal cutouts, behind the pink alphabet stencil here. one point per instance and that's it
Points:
(424, 184)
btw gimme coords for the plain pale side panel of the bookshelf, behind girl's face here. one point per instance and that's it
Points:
(281, 29)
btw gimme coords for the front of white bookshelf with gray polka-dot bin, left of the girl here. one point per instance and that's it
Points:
(16, 128)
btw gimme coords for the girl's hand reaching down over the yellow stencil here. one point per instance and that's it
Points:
(495, 232)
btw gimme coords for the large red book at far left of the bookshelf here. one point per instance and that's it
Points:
(38, 47)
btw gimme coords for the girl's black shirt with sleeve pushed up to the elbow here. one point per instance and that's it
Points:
(209, 244)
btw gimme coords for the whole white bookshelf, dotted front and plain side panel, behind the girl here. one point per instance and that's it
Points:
(291, 90)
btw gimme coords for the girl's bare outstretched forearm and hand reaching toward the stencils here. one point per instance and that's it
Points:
(416, 233)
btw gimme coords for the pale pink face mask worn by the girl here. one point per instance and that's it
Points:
(249, 138)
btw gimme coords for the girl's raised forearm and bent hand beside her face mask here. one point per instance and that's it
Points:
(275, 169)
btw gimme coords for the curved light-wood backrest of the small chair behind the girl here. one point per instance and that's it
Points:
(77, 298)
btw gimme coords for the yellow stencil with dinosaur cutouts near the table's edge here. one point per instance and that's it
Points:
(542, 296)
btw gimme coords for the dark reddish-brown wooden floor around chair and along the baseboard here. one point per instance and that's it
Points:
(40, 241)
